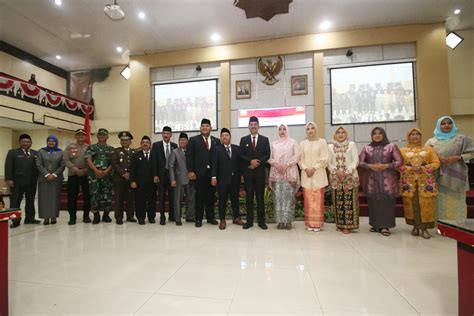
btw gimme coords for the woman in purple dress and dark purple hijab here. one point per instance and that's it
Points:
(380, 158)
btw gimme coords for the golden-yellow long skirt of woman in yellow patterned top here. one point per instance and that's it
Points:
(420, 211)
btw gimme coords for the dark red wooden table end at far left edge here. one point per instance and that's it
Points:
(5, 215)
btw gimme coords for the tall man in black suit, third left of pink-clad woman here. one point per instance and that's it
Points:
(198, 161)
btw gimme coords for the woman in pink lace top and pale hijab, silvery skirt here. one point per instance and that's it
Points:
(284, 178)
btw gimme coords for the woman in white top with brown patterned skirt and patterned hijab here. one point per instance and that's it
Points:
(344, 180)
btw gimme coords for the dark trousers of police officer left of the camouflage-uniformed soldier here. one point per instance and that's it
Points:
(74, 185)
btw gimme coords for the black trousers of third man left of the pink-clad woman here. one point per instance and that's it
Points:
(205, 198)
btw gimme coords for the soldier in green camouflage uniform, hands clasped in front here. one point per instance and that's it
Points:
(99, 160)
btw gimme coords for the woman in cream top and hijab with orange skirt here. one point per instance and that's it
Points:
(313, 163)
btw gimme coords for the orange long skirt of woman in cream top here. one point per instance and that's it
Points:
(313, 207)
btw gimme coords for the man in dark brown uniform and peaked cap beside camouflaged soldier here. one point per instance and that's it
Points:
(123, 194)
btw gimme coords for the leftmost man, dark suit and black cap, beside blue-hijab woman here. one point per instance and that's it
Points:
(21, 176)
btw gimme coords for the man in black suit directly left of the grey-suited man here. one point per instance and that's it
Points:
(161, 175)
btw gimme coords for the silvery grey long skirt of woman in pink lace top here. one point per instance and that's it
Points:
(283, 202)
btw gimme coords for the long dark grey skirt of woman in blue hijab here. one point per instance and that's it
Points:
(49, 199)
